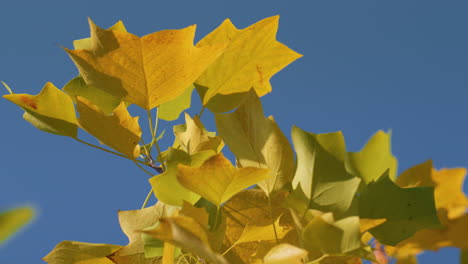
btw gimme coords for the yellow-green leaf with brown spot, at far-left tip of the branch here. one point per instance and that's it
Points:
(51, 110)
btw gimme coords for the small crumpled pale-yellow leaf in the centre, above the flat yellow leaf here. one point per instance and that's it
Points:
(193, 137)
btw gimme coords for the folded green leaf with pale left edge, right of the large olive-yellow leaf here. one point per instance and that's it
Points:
(321, 171)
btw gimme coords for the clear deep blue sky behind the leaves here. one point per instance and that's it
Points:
(367, 65)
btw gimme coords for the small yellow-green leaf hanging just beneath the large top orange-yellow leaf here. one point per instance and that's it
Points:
(171, 110)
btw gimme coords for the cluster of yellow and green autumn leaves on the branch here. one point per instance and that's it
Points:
(311, 202)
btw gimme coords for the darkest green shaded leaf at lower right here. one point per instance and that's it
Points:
(407, 210)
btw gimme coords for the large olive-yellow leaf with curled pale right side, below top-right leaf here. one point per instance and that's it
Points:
(258, 142)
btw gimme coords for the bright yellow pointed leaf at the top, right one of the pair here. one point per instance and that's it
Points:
(251, 58)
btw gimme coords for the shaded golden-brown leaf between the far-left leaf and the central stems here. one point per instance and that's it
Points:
(119, 131)
